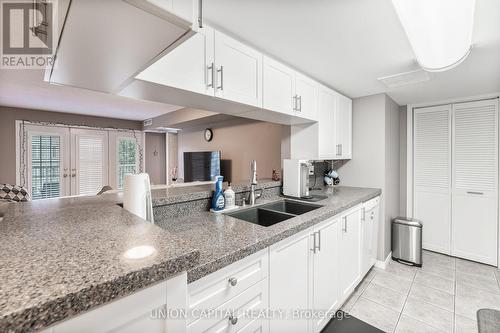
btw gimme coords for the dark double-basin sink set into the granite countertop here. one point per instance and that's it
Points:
(274, 212)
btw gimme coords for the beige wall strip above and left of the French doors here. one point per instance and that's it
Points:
(9, 115)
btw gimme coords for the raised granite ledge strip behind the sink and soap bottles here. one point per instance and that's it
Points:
(176, 194)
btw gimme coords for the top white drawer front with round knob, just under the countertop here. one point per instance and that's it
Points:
(219, 287)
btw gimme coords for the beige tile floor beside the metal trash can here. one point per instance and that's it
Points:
(442, 296)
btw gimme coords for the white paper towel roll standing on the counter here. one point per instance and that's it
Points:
(137, 196)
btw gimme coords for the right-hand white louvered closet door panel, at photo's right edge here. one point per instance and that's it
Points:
(475, 181)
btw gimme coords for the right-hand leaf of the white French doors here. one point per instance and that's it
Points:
(89, 161)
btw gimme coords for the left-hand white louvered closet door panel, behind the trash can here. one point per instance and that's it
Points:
(432, 175)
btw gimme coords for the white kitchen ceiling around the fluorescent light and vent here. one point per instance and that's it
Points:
(348, 44)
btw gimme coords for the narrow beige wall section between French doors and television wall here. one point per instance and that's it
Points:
(155, 157)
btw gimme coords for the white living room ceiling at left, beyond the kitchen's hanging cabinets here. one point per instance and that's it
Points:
(26, 89)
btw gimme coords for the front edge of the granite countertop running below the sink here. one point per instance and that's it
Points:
(210, 267)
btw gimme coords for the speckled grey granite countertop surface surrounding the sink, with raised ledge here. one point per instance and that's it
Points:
(61, 257)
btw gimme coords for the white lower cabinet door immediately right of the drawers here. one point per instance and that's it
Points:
(290, 280)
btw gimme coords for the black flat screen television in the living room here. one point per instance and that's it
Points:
(201, 166)
